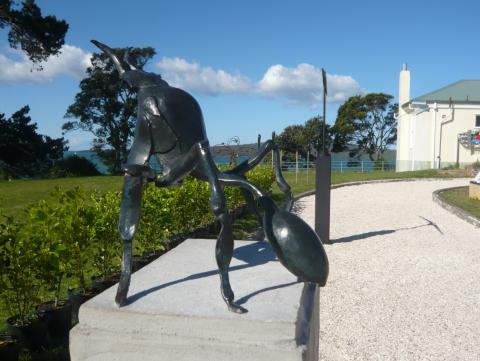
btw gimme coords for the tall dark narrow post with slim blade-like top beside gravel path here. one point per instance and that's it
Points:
(323, 179)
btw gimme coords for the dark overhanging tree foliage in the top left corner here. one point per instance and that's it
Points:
(39, 36)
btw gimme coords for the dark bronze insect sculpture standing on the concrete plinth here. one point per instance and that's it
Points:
(170, 127)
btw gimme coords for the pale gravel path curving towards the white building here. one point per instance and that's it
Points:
(404, 278)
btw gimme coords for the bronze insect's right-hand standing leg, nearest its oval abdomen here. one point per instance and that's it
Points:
(224, 245)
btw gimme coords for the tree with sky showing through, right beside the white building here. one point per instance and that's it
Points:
(367, 122)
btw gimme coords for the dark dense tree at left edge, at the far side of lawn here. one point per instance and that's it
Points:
(24, 152)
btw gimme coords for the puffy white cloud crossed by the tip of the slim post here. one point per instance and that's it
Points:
(304, 84)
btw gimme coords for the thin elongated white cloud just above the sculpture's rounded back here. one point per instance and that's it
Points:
(205, 80)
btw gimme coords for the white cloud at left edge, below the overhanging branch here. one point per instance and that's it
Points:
(71, 61)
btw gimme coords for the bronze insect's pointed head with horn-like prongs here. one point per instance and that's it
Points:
(132, 76)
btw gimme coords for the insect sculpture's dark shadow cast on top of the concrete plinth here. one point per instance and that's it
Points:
(253, 254)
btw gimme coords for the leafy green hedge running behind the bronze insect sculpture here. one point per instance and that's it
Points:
(72, 236)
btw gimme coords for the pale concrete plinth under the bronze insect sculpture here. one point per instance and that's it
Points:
(175, 311)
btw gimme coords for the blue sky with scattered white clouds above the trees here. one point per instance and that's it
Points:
(254, 66)
